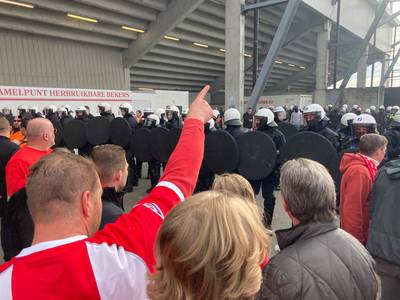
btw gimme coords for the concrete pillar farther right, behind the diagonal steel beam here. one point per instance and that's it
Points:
(322, 64)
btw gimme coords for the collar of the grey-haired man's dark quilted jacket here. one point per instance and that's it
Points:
(288, 237)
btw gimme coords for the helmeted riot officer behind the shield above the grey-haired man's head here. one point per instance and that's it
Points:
(316, 120)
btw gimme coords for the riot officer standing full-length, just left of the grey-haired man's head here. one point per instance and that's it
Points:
(264, 122)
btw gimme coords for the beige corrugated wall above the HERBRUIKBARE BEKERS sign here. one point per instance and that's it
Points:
(32, 60)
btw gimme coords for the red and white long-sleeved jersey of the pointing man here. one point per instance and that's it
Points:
(113, 264)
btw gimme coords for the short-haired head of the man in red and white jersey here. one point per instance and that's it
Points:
(63, 188)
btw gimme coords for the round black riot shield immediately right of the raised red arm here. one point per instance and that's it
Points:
(221, 153)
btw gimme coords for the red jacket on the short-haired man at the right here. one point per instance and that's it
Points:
(355, 190)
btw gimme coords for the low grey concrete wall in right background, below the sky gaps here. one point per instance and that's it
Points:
(365, 97)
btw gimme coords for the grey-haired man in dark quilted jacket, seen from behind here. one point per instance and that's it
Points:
(317, 259)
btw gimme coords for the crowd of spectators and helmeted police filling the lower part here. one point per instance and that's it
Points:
(197, 235)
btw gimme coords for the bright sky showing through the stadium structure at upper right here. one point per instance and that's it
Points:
(378, 66)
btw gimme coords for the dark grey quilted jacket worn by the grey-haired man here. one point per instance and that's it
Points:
(319, 261)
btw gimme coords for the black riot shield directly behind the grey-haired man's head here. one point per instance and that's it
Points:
(309, 145)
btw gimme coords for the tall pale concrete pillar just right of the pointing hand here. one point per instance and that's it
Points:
(234, 55)
